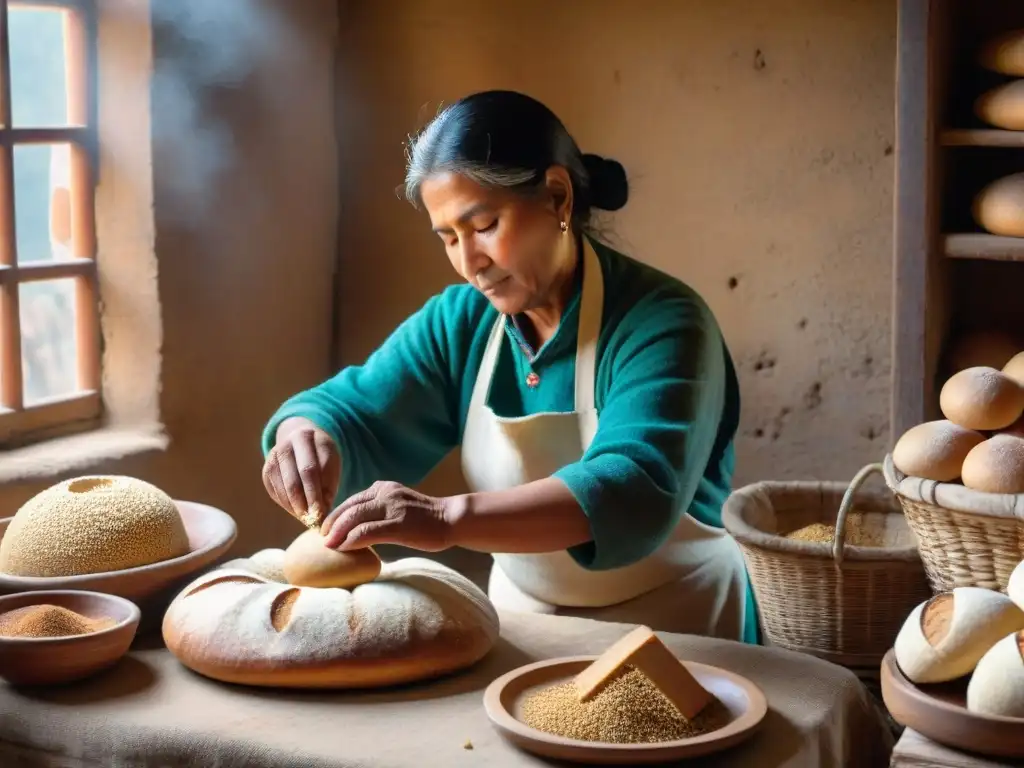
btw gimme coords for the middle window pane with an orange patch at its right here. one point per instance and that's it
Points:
(42, 202)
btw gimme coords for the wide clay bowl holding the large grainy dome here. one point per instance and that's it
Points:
(211, 533)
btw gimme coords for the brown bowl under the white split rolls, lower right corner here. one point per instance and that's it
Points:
(940, 713)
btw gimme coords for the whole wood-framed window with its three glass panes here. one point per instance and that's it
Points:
(50, 312)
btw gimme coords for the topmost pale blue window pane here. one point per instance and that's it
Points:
(37, 68)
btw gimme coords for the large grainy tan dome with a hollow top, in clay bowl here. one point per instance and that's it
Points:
(92, 526)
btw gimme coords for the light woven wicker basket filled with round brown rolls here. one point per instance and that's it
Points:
(967, 538)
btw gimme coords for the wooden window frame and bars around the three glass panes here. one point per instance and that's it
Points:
(82, 410)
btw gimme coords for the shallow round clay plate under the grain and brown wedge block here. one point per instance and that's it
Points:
(504, 698)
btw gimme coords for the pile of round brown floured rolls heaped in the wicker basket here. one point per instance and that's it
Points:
(980, 444)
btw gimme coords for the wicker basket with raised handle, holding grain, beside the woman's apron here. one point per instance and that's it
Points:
(842, 604)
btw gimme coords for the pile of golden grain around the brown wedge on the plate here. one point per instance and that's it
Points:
(630, 710)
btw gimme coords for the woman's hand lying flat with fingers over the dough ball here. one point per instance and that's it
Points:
(389, 514)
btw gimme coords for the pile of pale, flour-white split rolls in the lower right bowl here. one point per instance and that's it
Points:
(970, 632)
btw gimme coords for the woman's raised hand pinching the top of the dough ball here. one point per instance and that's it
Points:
(304, 471)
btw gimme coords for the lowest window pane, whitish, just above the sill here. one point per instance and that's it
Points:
(49, 355)
